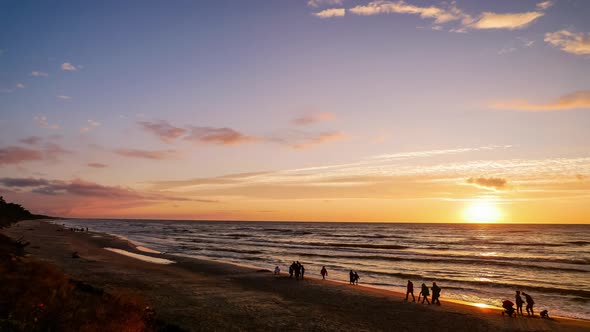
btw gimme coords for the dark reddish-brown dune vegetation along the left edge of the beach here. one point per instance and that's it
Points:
(35, 296)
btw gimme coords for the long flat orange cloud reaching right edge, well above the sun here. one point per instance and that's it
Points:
(575, 100)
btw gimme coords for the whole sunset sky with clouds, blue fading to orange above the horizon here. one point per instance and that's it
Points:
(297, 110)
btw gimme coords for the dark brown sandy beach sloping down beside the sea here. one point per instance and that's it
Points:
(200, 295)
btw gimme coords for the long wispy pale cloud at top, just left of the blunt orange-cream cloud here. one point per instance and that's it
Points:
(439, 15)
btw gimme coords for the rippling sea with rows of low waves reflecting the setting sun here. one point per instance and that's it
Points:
(482, 264)
